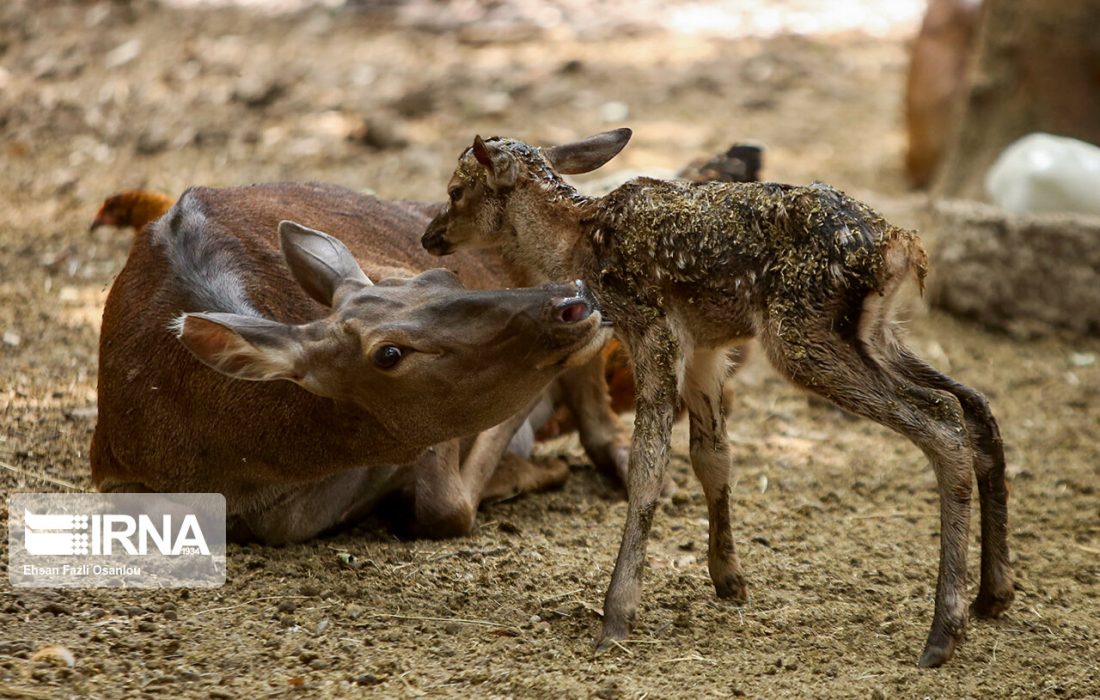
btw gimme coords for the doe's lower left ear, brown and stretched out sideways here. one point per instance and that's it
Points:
(243, 347)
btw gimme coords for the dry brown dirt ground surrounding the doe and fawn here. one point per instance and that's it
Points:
(837, 519)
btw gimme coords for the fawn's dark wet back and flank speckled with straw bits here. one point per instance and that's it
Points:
(742, 238)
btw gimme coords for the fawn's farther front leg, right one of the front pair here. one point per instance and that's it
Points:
(710, 460)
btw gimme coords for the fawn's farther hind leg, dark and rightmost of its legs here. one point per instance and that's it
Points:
(996, 590)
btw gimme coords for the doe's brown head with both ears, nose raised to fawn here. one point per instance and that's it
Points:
(430, 359)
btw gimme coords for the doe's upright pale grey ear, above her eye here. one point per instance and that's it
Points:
(321, 264)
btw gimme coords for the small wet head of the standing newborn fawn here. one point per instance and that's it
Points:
(490, 174)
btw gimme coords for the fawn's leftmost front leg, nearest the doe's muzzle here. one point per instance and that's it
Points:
(656, 356)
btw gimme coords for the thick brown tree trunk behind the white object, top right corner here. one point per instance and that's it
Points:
(1037, 68)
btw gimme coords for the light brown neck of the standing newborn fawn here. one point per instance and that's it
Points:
(548, 235)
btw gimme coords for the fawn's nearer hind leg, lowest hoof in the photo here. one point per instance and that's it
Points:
(933, 420)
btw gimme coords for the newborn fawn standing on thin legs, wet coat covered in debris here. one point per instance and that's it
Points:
(687, 271)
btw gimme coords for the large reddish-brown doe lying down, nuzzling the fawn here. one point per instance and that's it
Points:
(380, 381)
